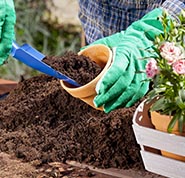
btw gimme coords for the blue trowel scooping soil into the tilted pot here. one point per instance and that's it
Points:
(33, 58)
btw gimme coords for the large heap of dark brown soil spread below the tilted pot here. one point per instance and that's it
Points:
(41, 122)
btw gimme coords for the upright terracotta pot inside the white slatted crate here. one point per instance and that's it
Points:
(161, 123)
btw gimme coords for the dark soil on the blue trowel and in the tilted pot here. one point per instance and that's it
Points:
(86, 70)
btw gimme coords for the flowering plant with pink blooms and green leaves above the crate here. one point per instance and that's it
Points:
(166, 70)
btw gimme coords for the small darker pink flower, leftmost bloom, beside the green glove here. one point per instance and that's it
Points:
(151, 68)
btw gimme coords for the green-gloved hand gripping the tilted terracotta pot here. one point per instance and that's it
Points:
(122, 85)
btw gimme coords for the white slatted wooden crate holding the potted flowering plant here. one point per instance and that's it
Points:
(151, 141)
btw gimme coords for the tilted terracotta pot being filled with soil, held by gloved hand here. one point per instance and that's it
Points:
(100, 54)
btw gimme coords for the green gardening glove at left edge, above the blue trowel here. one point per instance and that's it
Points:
(7, 22)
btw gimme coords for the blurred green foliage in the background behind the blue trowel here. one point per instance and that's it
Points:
(34, 28)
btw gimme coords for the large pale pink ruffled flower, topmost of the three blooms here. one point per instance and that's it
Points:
(170, 52)
